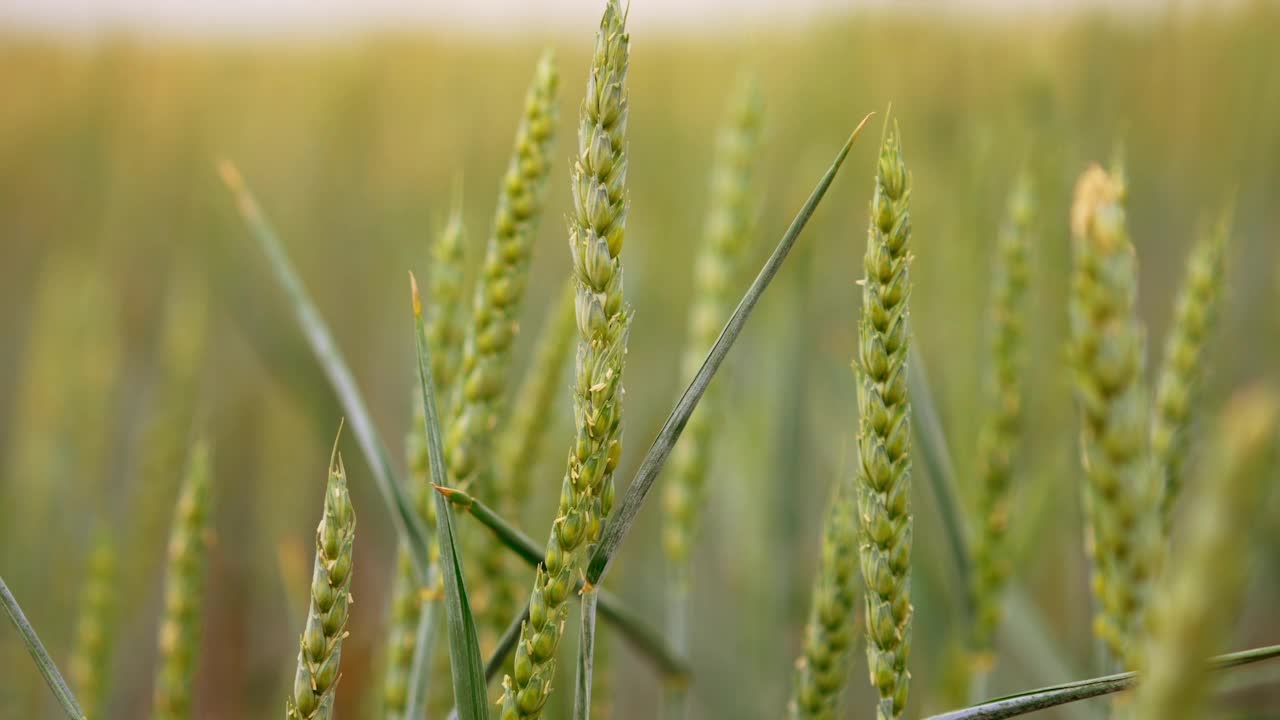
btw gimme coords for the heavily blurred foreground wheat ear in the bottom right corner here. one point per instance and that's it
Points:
(1200, 599)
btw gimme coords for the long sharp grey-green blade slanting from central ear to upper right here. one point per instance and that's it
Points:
(642, 484)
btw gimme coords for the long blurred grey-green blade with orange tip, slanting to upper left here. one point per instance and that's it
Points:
(409, 525)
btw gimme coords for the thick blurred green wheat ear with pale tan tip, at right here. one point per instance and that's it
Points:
(1123, 534)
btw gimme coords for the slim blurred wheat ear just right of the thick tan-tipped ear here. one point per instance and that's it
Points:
(1183, 363)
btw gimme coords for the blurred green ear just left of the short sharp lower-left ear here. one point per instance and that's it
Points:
(184, 595)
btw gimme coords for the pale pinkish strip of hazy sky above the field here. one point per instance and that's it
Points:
(239, 17)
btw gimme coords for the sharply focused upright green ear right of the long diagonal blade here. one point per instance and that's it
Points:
(885, 432)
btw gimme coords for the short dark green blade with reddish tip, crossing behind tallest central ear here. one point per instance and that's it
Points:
(646, 640)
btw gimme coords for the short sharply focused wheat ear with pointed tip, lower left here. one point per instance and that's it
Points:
(321, 644)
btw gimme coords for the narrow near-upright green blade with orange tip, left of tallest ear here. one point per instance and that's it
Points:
(465, 662)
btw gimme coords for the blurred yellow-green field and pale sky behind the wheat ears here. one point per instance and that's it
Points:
(136, 312)
